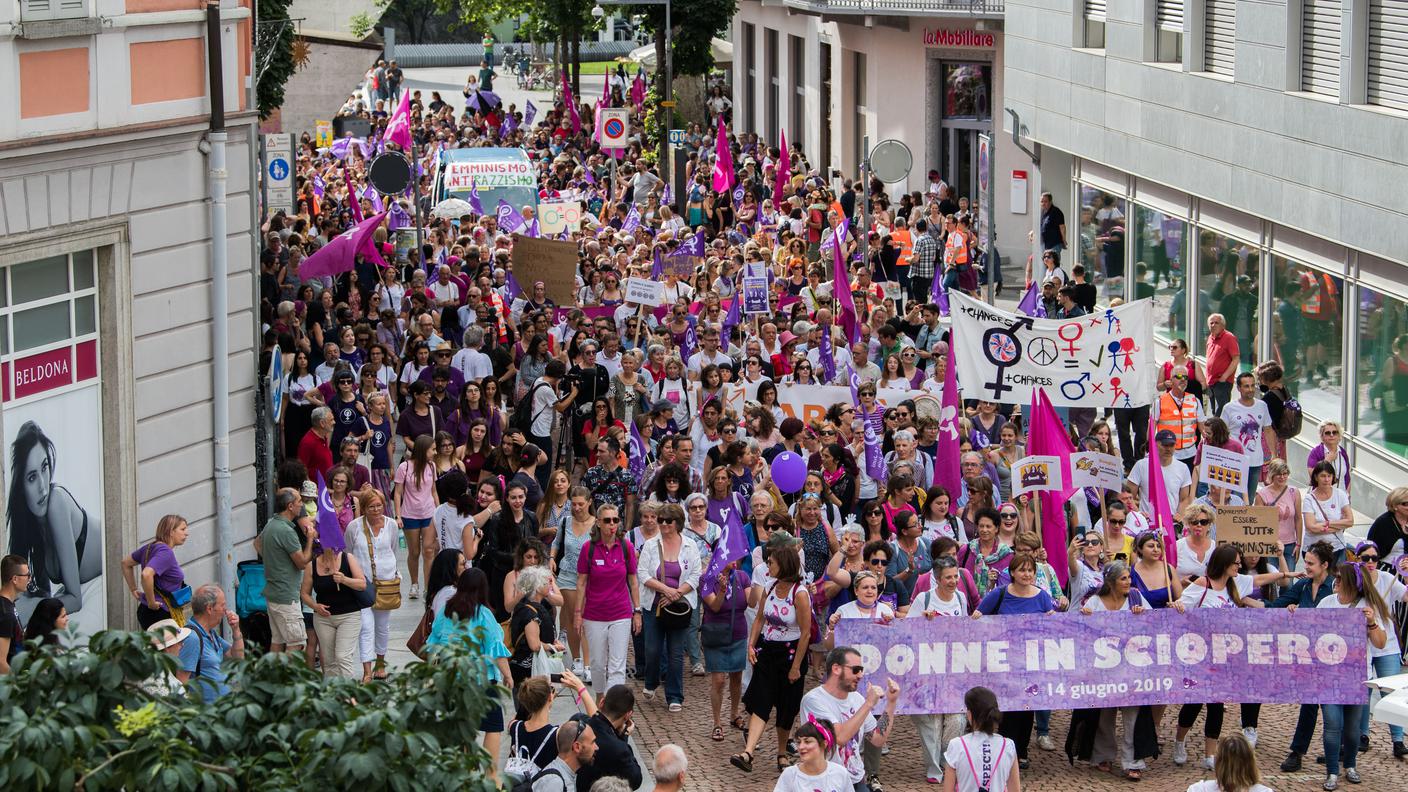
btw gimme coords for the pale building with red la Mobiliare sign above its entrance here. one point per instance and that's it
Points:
(929, 74)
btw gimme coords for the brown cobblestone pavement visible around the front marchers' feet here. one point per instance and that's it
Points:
(903, 769)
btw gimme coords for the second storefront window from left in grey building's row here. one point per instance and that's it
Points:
(1161, 270)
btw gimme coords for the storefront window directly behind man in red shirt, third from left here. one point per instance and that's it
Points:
(1228, 273)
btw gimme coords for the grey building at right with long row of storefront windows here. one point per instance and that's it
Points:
(1243, 159)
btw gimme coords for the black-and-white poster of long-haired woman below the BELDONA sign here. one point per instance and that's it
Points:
(54, 504)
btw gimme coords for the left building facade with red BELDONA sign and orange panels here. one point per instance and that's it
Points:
(105, 290)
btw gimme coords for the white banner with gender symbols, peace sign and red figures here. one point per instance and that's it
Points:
(1103, 360)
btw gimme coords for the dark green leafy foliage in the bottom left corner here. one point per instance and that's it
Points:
(80, 719)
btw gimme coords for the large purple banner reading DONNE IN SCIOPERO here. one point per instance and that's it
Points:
(1113, 660)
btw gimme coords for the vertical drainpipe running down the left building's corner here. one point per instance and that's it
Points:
(219, 302)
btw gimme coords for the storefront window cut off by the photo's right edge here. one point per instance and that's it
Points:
(1382, 402)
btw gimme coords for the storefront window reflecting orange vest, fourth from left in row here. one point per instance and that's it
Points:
(1307, 335)
